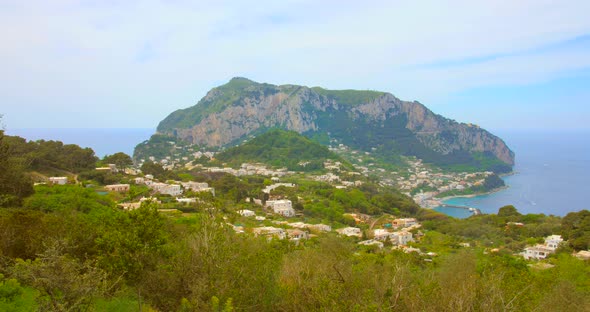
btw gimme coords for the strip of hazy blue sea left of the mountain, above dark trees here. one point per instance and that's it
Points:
(102, 141)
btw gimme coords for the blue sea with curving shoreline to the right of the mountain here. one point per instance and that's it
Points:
(552, 175)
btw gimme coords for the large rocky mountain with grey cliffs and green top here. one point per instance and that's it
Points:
(365, 120)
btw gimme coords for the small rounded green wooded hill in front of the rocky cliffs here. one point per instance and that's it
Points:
(280, 148)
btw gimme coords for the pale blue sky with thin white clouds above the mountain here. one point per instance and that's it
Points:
(128, 64)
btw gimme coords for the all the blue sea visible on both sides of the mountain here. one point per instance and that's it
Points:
(551, 174)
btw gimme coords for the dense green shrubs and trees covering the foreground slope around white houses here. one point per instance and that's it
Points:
(70, 248)
